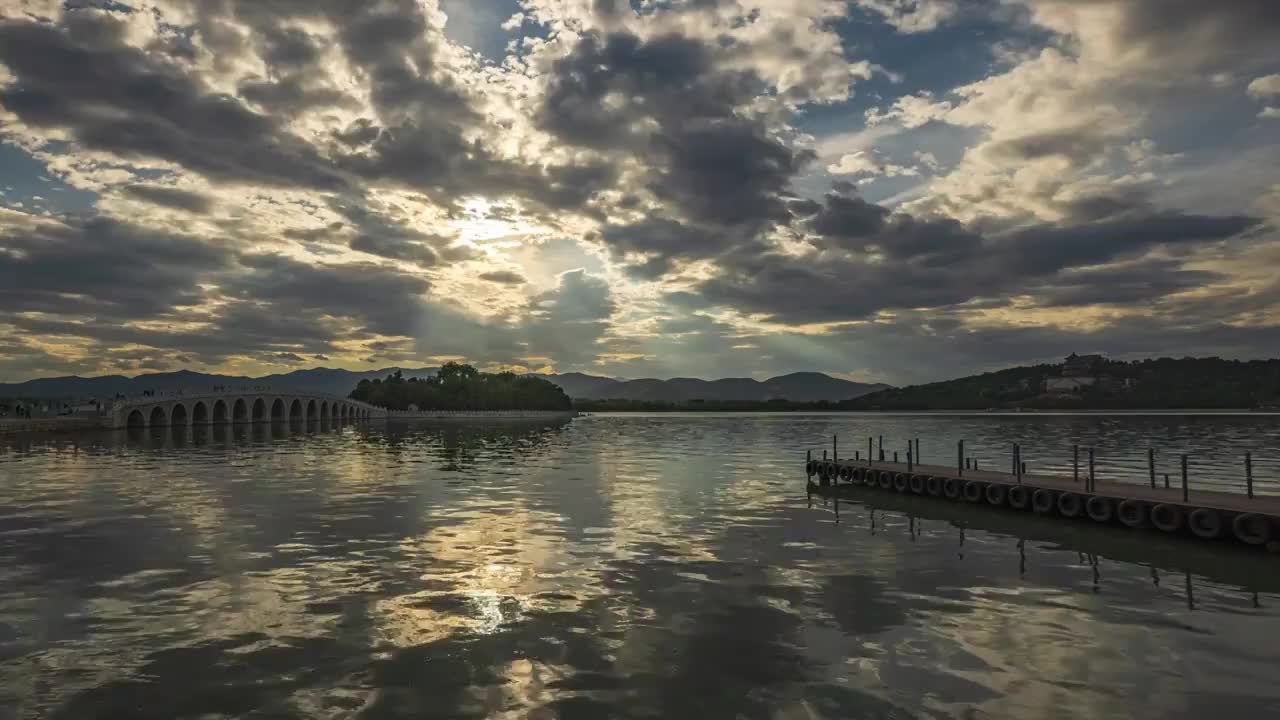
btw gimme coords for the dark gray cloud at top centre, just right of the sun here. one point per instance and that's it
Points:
(670, 104)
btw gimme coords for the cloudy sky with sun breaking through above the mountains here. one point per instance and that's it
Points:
(881, 190)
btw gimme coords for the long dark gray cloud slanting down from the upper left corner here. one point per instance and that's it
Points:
(85, 79)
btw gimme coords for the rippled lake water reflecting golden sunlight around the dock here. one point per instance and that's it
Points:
(630, 567)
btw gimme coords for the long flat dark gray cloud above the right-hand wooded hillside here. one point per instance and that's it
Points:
(868, 262)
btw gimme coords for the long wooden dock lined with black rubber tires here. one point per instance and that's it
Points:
(1203, 514)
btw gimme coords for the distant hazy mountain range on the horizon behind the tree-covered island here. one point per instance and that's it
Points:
(798, 388)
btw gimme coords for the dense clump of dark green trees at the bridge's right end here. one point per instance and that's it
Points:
(463, 388)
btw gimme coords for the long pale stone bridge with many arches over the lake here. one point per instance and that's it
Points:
(234, 408)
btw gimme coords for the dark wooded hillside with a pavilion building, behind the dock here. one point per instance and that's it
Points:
(1164, 384)
